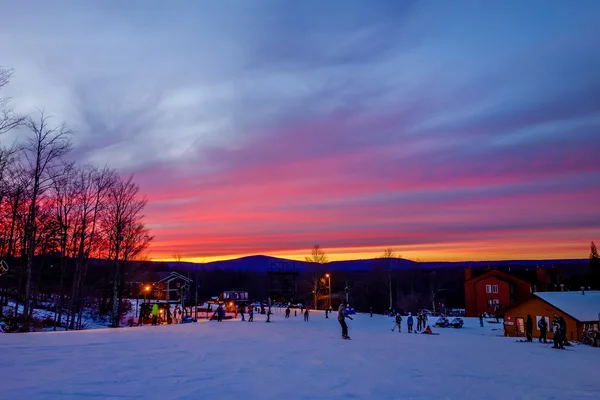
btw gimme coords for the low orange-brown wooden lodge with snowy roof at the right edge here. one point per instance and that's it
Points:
(581, 311)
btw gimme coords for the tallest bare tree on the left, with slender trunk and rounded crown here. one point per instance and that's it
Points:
(43, 153)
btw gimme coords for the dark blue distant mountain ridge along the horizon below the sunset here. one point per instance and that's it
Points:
(261, 263)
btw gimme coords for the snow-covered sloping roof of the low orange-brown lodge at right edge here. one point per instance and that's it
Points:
(582, 307)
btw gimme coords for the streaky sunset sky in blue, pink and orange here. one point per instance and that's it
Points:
(461, 130)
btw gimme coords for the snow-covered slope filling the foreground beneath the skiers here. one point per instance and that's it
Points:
(291, 359)
